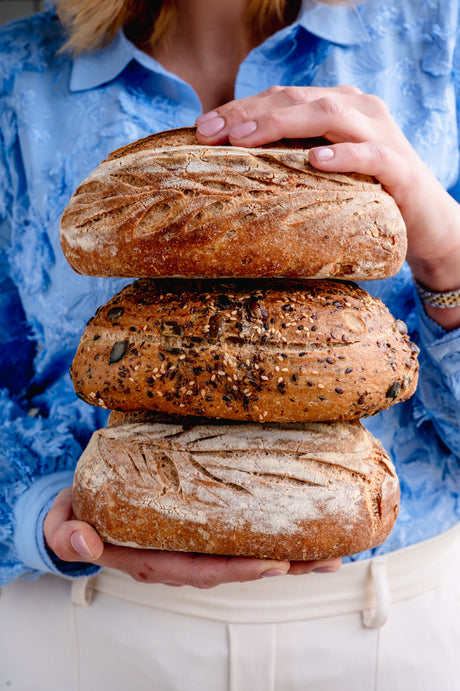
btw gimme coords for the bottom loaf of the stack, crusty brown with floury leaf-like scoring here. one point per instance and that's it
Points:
(296, 492)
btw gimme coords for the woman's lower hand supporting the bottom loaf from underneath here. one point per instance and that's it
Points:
(76, 541)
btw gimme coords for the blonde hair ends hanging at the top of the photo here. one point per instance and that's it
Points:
(92, 24)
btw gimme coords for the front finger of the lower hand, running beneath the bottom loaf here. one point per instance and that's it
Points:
(196, 570)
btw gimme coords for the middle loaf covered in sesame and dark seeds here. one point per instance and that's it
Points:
(247, 350)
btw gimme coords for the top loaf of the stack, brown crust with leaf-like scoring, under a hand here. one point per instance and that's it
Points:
(168, 206)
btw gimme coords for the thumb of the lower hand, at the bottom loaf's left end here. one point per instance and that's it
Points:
(69, 539)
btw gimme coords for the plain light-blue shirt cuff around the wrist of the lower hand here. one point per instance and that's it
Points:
(29, 514)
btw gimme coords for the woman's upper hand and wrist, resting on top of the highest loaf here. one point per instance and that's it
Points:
(364, 139)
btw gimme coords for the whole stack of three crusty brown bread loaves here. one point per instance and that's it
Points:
(239, 363)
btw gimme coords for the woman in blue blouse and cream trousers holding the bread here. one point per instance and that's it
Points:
(138, 68)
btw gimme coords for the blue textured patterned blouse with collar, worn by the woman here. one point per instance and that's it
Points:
(60, 117)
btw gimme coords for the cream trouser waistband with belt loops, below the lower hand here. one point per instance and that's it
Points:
(368, 586)
